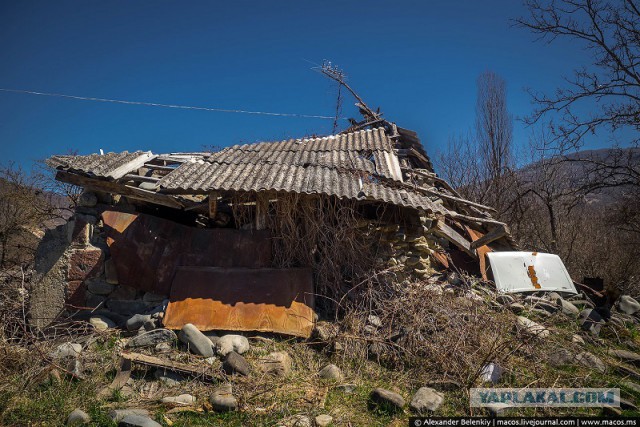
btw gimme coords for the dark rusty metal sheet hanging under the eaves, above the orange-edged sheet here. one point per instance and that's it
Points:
(146, 250)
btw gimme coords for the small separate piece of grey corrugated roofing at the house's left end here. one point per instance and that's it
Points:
(100, 165)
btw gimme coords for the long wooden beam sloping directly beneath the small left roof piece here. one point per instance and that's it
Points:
(116, 188)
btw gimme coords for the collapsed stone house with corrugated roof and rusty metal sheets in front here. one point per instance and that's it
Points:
(257, 237)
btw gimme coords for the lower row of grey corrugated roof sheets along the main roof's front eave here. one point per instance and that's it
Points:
(206, 177)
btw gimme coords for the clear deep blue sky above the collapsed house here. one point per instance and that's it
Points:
(417, 60)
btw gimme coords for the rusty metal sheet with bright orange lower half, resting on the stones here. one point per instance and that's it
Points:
(263, 300)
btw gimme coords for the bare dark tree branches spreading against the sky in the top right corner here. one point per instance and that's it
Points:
(605, 93)
